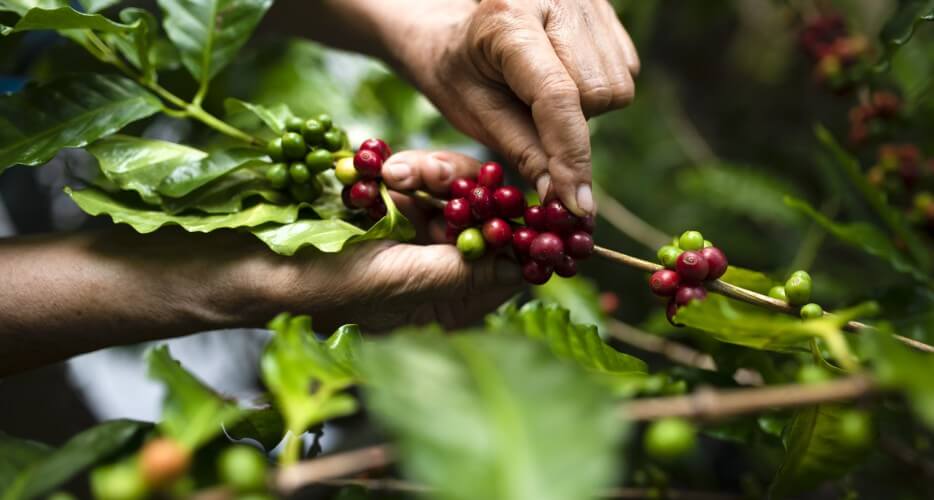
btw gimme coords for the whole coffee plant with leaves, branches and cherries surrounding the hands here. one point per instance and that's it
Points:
(813, 379)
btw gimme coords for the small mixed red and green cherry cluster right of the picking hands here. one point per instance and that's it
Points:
(689, 261)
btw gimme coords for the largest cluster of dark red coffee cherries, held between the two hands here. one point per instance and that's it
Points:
(482, 214)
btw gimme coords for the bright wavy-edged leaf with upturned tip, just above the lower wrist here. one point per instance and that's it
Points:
(332, 235)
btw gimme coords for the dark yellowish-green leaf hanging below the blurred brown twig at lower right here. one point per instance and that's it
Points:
(815, 451)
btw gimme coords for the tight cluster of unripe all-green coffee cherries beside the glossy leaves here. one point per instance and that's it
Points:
(304, 150)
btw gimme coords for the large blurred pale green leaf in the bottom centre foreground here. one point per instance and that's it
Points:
(492, 417)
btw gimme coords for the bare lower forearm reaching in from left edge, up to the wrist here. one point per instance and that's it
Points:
(63, 295)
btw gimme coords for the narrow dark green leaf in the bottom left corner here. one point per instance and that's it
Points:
(84, 450)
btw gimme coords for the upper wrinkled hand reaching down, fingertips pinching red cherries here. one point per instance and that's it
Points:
(521, 76)
